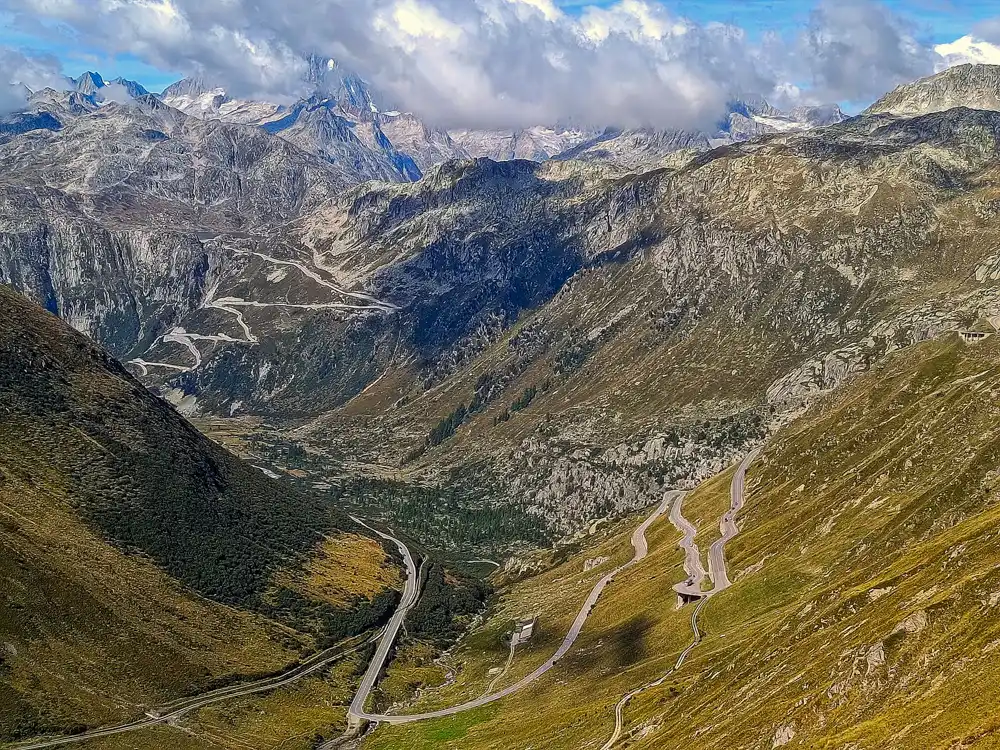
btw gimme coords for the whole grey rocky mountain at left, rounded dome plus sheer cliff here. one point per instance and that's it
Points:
(105, 220)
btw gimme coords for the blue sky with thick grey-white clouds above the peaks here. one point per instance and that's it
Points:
(506, 63)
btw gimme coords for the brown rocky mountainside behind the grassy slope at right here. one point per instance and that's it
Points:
(744, 282)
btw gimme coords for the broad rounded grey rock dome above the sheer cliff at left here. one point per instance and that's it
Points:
(145, 155)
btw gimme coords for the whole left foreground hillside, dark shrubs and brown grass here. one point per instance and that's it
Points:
(104, 490)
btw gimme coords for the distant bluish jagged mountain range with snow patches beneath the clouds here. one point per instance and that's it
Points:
(343, 121)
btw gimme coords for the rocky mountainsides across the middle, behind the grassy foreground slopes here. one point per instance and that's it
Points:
(566, 335)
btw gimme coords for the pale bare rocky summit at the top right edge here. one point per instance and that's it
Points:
(974, 85)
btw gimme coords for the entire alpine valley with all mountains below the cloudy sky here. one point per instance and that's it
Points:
(280, 381)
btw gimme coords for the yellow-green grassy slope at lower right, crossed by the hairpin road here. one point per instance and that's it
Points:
(865, 613)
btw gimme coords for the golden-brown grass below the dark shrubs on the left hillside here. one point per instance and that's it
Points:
(92, 635)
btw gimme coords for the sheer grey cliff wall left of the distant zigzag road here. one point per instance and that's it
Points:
(121, 286)
